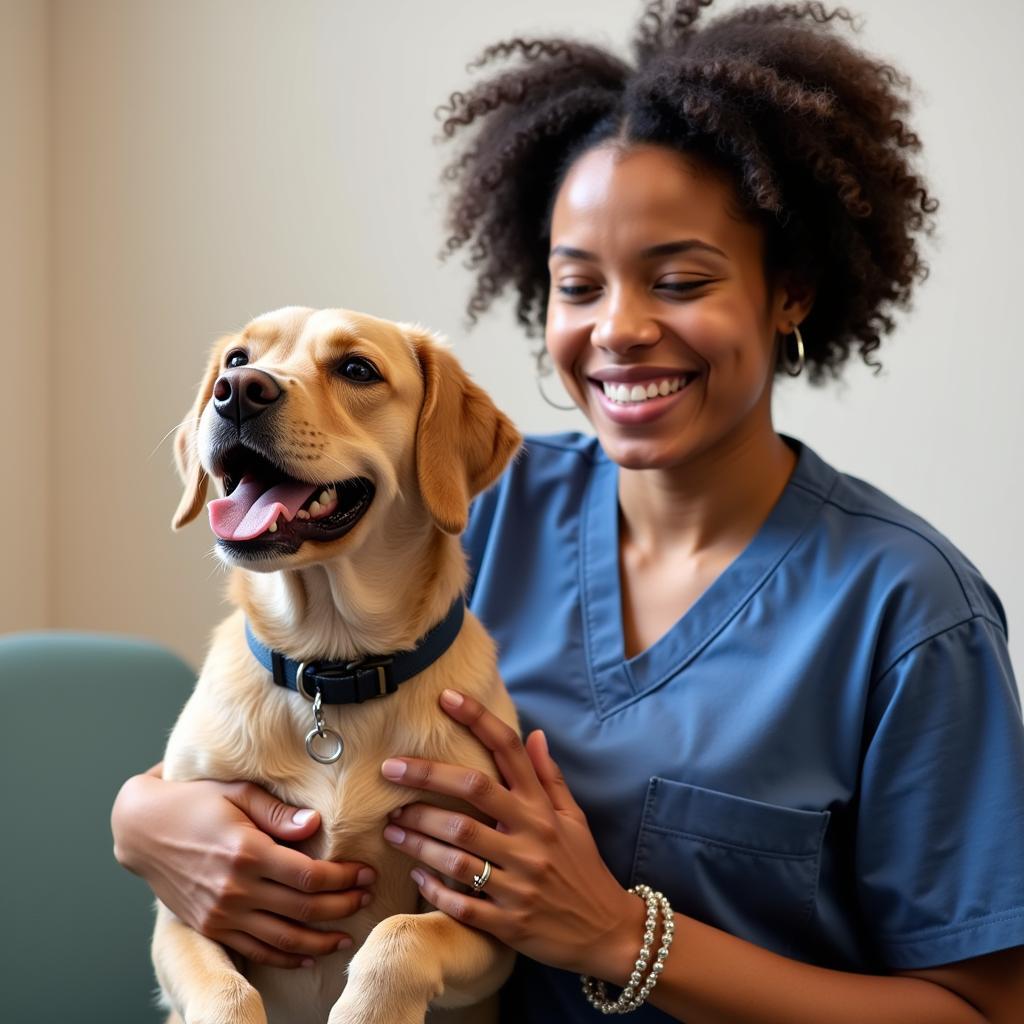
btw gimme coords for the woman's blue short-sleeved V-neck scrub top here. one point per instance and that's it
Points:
(825, 756)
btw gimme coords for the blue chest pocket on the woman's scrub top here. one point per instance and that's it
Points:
(748, 868)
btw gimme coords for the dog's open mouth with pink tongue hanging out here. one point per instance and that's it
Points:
(267, 510)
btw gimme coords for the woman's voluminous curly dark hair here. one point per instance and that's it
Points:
(810, 130)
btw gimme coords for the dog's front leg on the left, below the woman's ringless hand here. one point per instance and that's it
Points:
(199, 978)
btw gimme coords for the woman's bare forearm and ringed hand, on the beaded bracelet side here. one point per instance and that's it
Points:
(552, 899)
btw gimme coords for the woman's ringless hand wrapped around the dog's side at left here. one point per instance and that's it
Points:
(207, 850)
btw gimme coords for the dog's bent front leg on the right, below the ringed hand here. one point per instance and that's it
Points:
(413, 961)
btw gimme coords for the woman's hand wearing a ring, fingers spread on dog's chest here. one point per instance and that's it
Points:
(550, 895)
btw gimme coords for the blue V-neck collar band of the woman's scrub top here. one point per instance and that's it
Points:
(616, 680)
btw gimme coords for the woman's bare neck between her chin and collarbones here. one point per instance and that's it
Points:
(718, 499)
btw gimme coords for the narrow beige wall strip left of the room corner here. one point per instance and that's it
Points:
(26, 405)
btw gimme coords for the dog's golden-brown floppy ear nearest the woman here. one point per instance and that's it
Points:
(463, 442)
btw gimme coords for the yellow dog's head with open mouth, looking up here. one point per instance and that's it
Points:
(316, 422)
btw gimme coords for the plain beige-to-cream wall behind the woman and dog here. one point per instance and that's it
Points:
(209, 160)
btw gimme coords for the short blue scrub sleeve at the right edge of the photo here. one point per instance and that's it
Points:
(941, 825)
